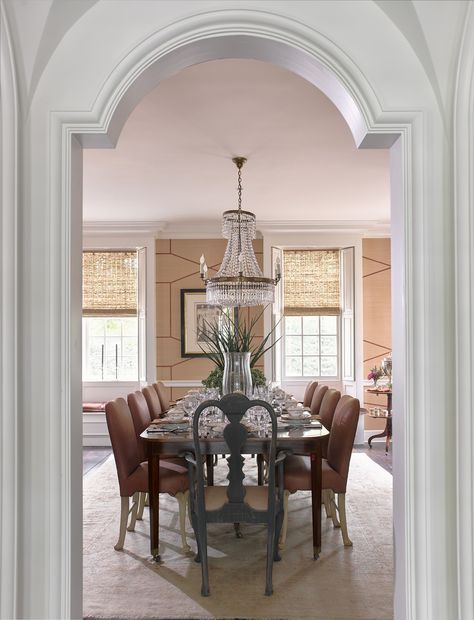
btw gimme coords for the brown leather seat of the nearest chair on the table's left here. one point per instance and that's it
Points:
(173, 478)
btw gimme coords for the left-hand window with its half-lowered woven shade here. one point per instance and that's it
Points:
(111, 322)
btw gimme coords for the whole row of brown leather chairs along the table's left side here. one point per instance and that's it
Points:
(126, 420)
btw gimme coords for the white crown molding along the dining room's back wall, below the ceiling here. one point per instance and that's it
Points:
(213, 229)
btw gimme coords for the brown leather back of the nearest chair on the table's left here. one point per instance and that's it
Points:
(124, 441)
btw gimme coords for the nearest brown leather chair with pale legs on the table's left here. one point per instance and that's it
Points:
(133, 474)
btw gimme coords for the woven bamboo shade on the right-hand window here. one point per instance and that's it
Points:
(311, 282)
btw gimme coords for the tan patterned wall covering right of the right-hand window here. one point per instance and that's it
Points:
(377, 314)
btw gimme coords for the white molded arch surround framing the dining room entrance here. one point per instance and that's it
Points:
(291, 45)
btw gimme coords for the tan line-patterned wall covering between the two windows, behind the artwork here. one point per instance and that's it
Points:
(177, 267)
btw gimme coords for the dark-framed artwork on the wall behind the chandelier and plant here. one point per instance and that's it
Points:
(196, 316)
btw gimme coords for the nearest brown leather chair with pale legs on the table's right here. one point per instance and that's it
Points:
(335, 467)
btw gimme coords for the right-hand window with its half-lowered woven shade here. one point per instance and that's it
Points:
(312, 310)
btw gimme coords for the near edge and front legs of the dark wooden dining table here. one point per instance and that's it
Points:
(299, 440)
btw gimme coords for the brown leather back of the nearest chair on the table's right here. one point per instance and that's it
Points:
(341, 438)
